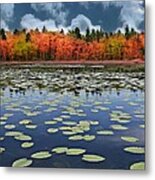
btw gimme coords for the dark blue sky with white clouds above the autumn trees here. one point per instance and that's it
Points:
(108, 15)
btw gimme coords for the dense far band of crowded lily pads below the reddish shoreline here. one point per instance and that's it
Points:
(20, 80)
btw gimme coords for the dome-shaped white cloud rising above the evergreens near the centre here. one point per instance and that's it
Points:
(82, 22)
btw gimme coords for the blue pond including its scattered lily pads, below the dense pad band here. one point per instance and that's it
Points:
(40, 127)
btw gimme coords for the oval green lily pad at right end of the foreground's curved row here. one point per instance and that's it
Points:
(92, 158)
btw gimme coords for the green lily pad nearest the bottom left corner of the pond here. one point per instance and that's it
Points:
(24, 162)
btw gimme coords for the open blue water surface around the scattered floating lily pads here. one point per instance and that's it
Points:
(111, 147)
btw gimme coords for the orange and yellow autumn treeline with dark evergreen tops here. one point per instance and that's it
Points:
(23, 45)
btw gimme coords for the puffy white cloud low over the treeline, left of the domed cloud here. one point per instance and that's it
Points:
(29, 21)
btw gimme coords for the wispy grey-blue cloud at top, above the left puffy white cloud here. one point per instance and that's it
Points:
(55, 10)
